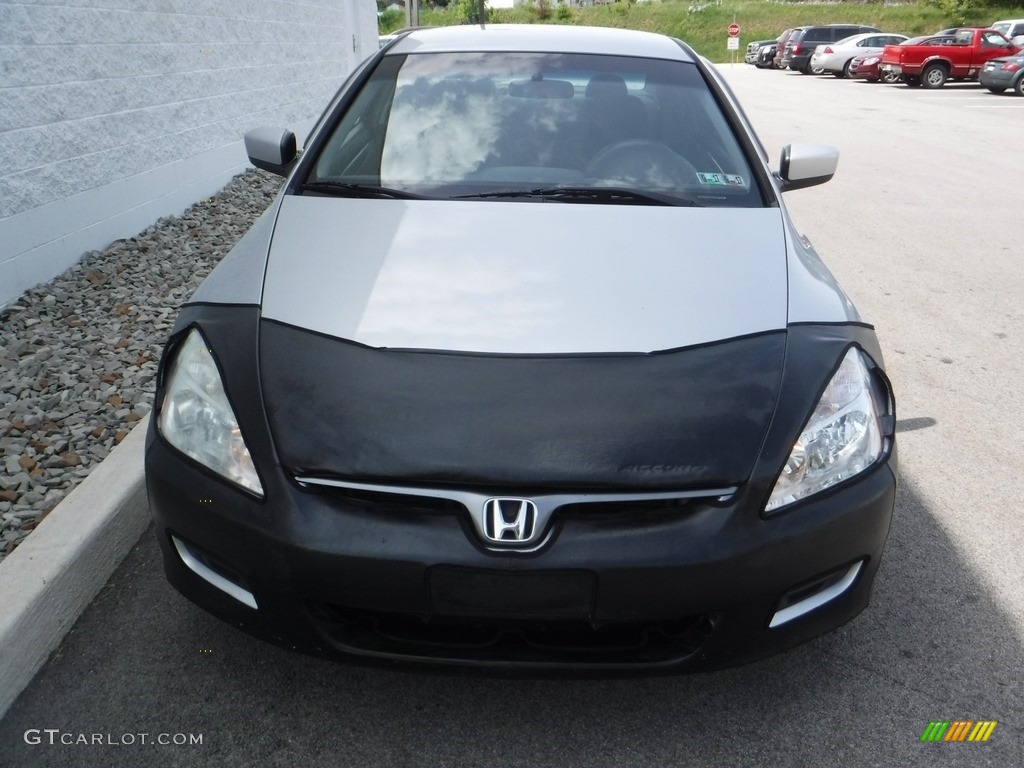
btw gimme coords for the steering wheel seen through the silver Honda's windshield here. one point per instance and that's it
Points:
(641, 161)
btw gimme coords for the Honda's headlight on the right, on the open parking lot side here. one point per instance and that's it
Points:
(842, 439)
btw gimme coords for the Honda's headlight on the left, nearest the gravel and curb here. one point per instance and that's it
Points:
(197, 419)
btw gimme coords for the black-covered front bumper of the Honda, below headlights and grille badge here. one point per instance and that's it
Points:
(672, 589)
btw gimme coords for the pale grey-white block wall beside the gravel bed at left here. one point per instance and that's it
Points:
(115, 113)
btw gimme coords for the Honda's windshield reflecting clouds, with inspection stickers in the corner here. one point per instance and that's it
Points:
(475, 125)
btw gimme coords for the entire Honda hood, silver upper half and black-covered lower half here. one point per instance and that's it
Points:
(511, 346)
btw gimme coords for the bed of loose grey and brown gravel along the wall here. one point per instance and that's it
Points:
(78, 356)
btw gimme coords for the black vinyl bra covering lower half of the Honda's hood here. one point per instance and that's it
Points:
(689, 418)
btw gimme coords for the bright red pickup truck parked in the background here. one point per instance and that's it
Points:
(933, 62)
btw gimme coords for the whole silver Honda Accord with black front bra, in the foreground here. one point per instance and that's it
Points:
(527, 368)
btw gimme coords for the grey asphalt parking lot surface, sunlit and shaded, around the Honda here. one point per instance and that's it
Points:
(918, 226)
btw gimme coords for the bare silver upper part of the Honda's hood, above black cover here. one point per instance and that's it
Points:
(526, 278)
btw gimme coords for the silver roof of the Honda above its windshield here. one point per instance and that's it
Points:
(541, 38)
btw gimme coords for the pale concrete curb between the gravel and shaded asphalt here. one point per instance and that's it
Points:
(50, 580)
